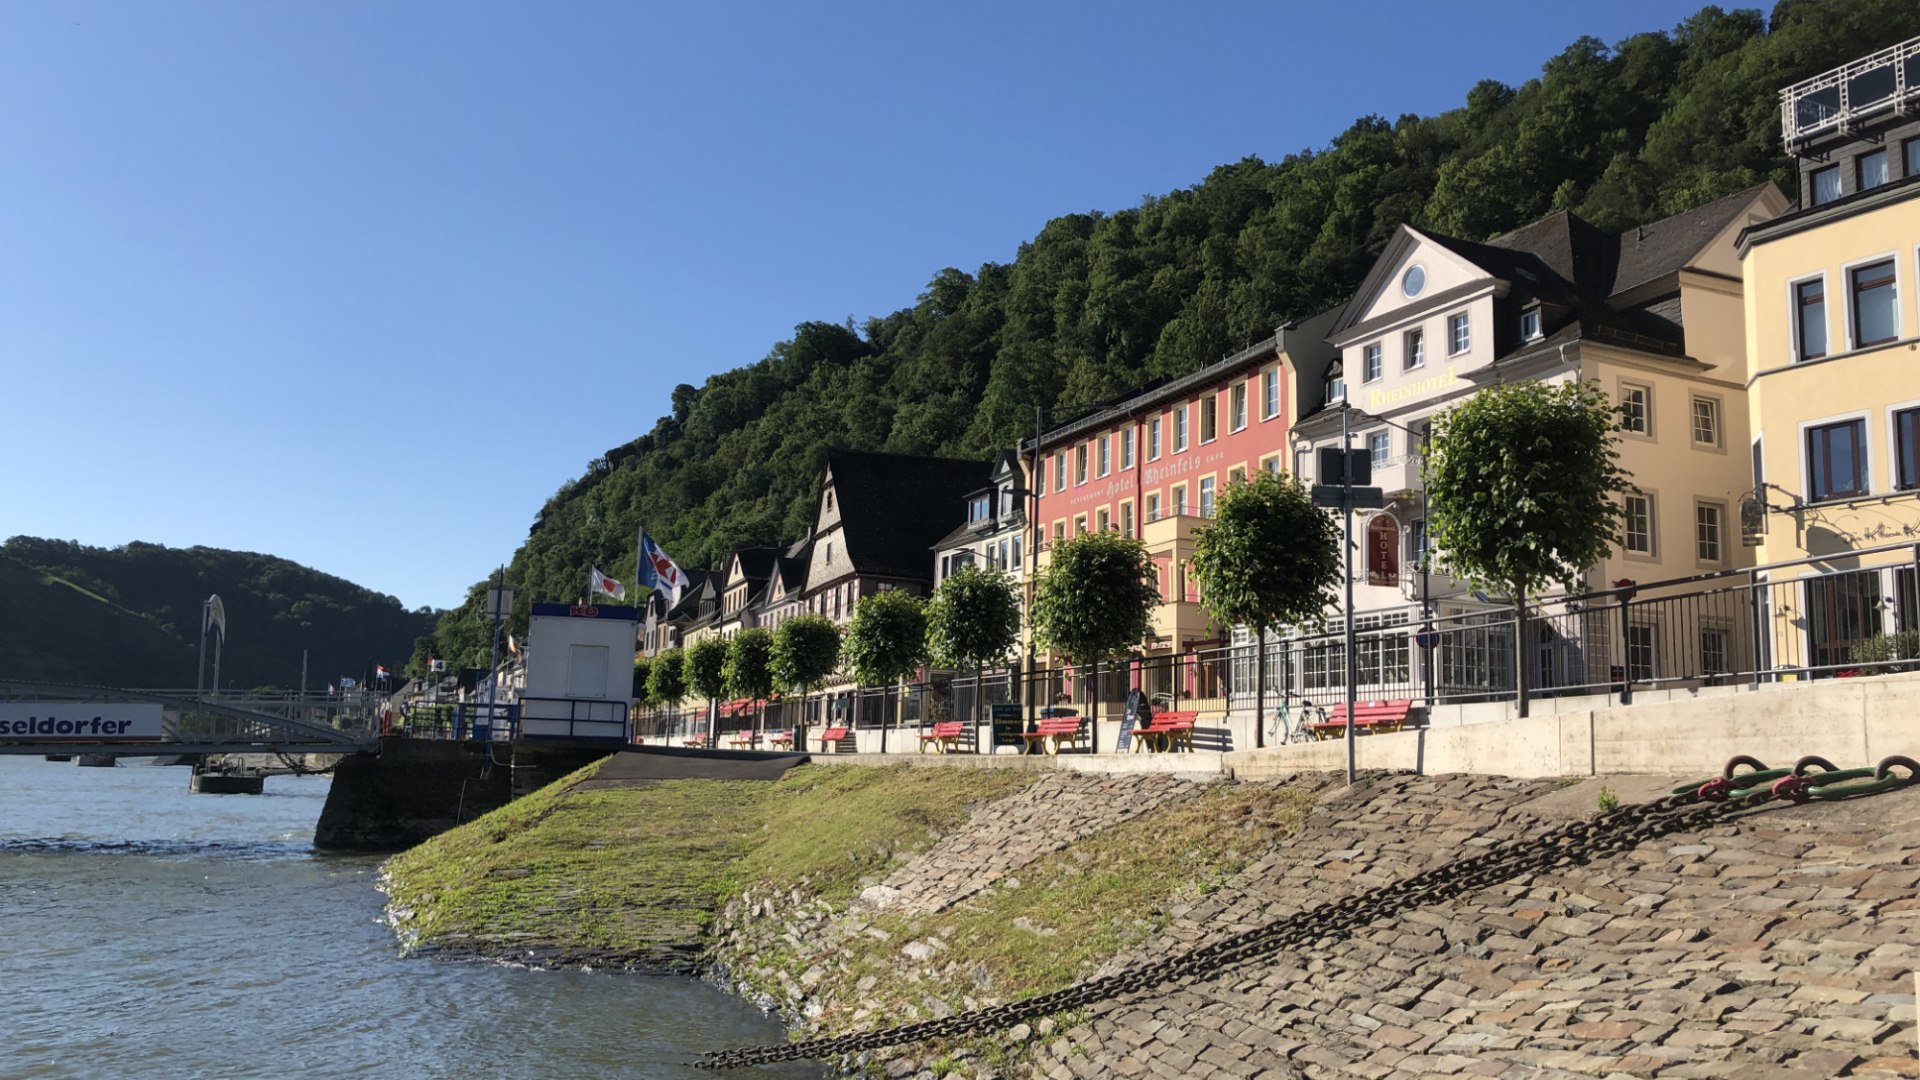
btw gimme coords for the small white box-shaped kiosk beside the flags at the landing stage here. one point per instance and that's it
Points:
(579, 672)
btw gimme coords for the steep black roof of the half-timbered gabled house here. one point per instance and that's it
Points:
(896, 508)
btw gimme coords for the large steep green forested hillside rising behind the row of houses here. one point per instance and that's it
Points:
(1105, 303)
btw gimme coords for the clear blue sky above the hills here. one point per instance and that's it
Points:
(364, 283)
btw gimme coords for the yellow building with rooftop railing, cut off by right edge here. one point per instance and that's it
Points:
(1835, 372)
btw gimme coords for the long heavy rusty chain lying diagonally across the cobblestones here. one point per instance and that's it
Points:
(1579, 843)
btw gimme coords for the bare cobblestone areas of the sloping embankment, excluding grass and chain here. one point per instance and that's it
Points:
(1781, 945)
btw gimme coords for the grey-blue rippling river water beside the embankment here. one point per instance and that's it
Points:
(151, 933)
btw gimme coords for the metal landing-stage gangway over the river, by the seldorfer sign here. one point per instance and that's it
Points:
(201, 725)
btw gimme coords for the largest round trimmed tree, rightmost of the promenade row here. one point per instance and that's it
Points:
(1524, 491)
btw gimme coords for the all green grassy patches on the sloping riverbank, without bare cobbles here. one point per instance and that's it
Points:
(636, 875)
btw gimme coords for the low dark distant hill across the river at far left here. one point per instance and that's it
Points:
(128, 618)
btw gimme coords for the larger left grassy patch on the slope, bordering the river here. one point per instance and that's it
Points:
(636, 875)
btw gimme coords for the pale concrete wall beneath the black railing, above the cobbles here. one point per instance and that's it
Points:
(1852, 722)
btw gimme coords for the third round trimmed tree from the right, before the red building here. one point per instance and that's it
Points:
(1095, 601)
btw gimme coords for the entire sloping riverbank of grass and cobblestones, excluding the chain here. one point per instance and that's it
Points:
(1781, 945)
